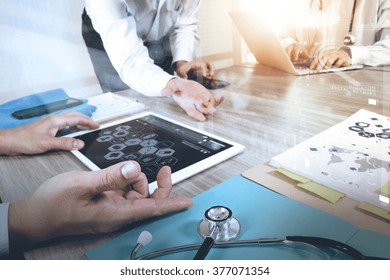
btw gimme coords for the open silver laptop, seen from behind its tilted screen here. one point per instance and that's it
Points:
(267, 48)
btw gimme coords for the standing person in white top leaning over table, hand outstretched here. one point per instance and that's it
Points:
(146, 41)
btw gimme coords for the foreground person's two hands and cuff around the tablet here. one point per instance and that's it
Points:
(78, 202)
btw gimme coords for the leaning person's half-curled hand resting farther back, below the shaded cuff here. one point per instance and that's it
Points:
(193, 68)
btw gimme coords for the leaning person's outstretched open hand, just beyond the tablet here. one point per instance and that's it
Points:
(193, 98)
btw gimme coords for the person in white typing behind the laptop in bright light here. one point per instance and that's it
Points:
(339, 33)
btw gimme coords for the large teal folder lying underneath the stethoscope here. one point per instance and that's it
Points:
(262, 213)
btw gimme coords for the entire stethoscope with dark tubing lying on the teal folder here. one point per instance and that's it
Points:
(219, 228)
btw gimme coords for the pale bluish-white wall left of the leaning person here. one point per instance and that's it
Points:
(41, 48)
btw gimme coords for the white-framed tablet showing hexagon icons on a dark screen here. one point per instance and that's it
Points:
(154, 141)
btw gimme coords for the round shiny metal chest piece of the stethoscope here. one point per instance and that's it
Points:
(219, 223)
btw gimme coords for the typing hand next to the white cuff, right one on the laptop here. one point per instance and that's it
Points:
(333, 57)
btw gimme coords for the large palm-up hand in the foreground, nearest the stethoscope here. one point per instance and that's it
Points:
(84, 202)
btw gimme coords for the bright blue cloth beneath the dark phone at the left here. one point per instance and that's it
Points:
(41, 98)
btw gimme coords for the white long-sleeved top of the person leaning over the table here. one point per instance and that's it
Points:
(124, 25)
